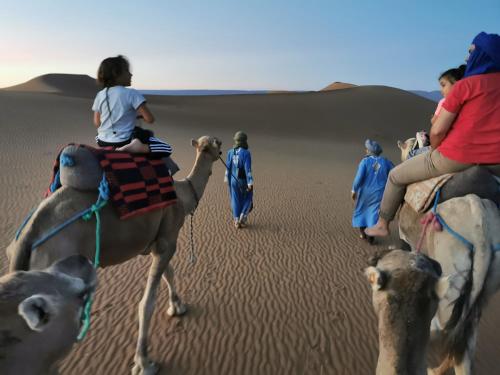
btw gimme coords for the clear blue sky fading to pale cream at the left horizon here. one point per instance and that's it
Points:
(257, 44)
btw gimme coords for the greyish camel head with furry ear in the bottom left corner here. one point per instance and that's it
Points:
(41, 313)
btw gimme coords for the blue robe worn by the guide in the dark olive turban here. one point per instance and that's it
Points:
(239, 176)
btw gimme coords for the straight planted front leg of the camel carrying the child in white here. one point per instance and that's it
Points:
(144, 366)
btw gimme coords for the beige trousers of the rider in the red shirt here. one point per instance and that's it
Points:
(419, 168)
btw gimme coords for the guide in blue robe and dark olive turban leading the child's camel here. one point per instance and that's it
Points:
(240, 180)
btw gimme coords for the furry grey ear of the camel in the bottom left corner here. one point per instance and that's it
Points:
(37, 311)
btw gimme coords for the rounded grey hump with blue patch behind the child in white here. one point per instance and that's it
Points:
(79, 168)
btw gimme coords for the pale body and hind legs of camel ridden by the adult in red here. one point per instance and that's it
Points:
(474, 270)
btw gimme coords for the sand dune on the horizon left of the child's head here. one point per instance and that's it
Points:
(66, 84)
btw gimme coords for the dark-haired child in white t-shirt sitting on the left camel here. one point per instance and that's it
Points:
(117, 108)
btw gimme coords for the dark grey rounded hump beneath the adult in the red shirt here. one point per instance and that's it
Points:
(475, 180)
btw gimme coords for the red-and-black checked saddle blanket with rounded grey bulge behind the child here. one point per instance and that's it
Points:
(137, 183)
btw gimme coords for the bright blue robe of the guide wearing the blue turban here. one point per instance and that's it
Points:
(369, 185)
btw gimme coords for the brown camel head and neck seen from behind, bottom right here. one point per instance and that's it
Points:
(406, 288)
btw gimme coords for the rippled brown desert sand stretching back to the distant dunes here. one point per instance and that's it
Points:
(286, 295)
